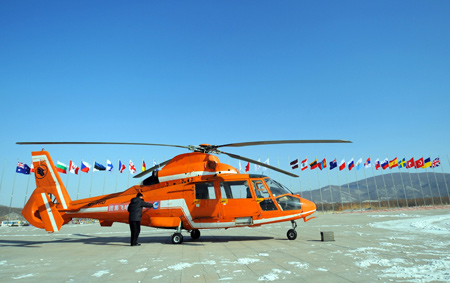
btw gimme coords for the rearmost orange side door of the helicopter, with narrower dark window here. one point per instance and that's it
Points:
(206, 202)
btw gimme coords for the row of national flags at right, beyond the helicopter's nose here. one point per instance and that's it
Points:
(385, 164)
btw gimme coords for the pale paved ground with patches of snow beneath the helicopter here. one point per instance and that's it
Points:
(392, 246)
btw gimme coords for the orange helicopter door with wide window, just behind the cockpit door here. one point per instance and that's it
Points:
(238, 204)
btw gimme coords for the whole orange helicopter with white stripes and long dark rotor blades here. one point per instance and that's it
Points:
(191, 191)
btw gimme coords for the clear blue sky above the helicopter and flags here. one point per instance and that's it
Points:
(191, 72)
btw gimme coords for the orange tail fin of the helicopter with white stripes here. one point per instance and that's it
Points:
(41, 210)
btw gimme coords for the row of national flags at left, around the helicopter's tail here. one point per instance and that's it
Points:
(85, 167)
